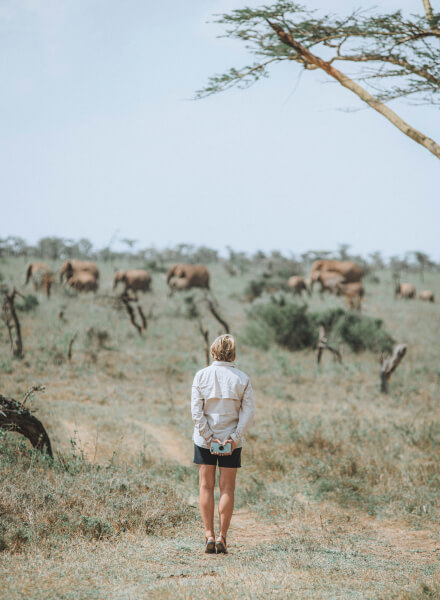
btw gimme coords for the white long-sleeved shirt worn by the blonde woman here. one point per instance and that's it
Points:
(222, 404)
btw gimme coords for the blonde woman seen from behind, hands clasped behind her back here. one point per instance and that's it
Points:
(222, 407)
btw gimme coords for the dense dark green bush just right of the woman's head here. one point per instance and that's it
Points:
(291, 325)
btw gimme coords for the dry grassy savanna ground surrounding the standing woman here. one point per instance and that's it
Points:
(338, 496)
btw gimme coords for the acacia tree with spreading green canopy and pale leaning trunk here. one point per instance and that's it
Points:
(394, 56)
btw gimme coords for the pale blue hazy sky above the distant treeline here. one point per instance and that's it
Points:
(99, 133)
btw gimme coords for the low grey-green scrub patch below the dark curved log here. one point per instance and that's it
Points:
(45, 502)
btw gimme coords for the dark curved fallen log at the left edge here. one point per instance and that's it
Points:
(14, 416)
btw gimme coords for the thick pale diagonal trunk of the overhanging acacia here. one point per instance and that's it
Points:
(362, 93)
